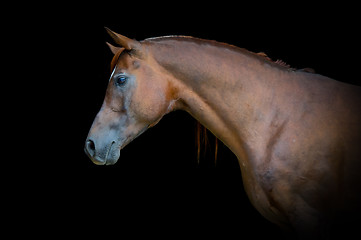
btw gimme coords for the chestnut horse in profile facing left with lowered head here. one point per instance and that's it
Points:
(296, 134)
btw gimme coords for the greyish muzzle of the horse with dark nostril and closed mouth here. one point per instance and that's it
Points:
(102, 154)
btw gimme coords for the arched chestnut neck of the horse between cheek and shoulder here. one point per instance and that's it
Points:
(225, 88)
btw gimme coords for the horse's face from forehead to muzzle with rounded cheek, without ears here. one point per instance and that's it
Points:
(136, 99)
